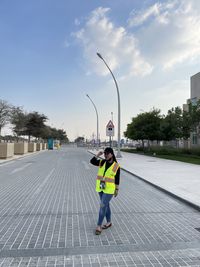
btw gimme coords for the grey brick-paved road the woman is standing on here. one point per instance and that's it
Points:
(49, 211)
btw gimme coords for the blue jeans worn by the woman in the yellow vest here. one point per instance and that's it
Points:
(104, 210)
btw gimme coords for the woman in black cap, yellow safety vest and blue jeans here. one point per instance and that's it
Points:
(107, 185)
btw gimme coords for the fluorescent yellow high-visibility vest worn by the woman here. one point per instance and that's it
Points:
(108, 177)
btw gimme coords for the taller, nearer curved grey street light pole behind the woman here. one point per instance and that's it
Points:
(119, 115)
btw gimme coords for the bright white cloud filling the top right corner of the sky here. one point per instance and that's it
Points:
(169, 33)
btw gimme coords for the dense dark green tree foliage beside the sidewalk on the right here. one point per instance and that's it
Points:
(175, 125)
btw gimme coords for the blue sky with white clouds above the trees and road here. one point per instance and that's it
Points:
(48, 60)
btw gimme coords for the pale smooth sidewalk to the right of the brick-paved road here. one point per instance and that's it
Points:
(177, 178)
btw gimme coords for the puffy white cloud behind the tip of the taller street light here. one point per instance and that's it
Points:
(118, 47)
